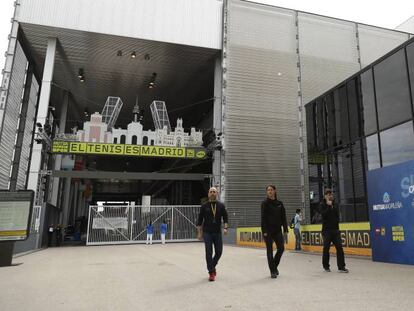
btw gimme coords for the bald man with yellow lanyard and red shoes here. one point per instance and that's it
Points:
(209, 227)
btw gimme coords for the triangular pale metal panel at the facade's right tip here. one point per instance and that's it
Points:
(376, 42)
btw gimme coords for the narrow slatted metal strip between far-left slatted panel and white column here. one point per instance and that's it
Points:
(28, 136)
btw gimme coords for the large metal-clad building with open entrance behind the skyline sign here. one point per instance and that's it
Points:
(239, 71)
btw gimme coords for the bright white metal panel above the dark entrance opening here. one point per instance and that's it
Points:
(188, 22)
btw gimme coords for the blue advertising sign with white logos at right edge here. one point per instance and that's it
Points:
(391, 211)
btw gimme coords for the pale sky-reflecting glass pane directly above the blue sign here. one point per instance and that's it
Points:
(397, 144)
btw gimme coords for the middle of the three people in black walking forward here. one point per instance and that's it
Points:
(273, 218)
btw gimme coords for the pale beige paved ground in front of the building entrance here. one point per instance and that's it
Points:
(173, 277)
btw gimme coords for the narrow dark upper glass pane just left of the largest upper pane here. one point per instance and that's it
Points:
(369, 118)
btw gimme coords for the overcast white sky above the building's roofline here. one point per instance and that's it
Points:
(388, 14)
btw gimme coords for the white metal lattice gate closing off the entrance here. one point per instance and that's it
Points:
(126, 224)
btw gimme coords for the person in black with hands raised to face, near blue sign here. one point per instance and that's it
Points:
(330, 232)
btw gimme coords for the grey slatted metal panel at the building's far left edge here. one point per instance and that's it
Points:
(11, 115)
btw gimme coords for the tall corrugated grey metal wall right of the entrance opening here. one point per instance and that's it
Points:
(261, 116)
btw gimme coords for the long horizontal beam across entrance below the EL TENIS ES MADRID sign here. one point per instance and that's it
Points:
(128, 175)
